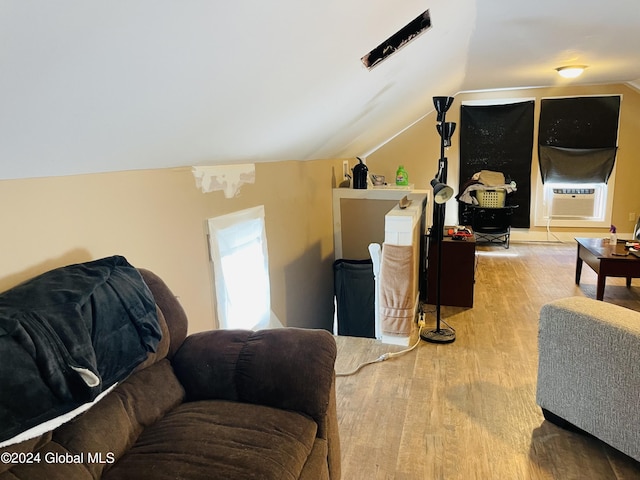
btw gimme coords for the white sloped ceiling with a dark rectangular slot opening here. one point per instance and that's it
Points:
(94, 86)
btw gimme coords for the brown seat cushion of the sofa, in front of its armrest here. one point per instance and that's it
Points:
(220, 439)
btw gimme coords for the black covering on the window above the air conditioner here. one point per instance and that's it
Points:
(577, 139)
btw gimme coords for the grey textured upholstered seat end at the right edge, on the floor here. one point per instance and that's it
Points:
(588, 369)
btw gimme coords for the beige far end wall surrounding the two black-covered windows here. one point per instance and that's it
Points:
(418, 148)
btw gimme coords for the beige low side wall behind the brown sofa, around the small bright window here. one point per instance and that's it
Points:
(157, 219)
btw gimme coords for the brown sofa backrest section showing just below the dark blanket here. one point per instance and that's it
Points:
(102, 434)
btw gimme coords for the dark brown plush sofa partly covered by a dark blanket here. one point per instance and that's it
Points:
(218, 404)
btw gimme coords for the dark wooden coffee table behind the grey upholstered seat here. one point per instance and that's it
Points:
(599, 255)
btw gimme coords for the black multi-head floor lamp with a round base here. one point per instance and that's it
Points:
(441, 193)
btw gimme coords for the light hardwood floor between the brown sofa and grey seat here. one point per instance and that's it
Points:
(467, 410)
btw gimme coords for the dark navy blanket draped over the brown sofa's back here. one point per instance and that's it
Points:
(68, 335)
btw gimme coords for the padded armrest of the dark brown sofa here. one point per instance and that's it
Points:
(288, 368)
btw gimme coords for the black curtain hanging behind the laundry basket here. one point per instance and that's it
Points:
(500, 138)
